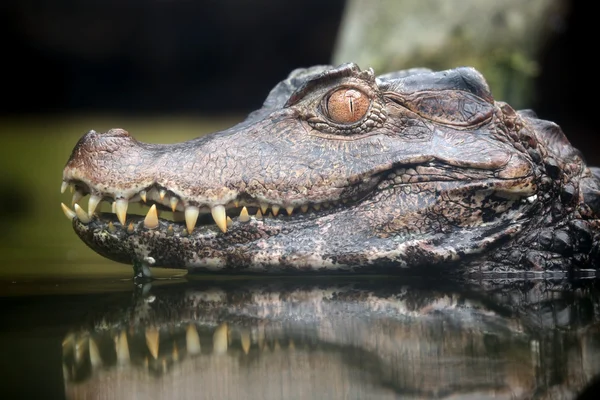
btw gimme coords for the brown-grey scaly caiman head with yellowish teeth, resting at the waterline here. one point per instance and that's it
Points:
(342, 170)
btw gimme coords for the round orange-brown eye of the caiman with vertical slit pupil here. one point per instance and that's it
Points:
(347, 106)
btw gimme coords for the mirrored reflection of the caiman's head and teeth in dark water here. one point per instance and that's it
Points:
(350, 339)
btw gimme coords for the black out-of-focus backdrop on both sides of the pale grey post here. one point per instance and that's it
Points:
(211, 57)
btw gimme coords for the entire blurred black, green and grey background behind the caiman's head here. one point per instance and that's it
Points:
(170, 70)
